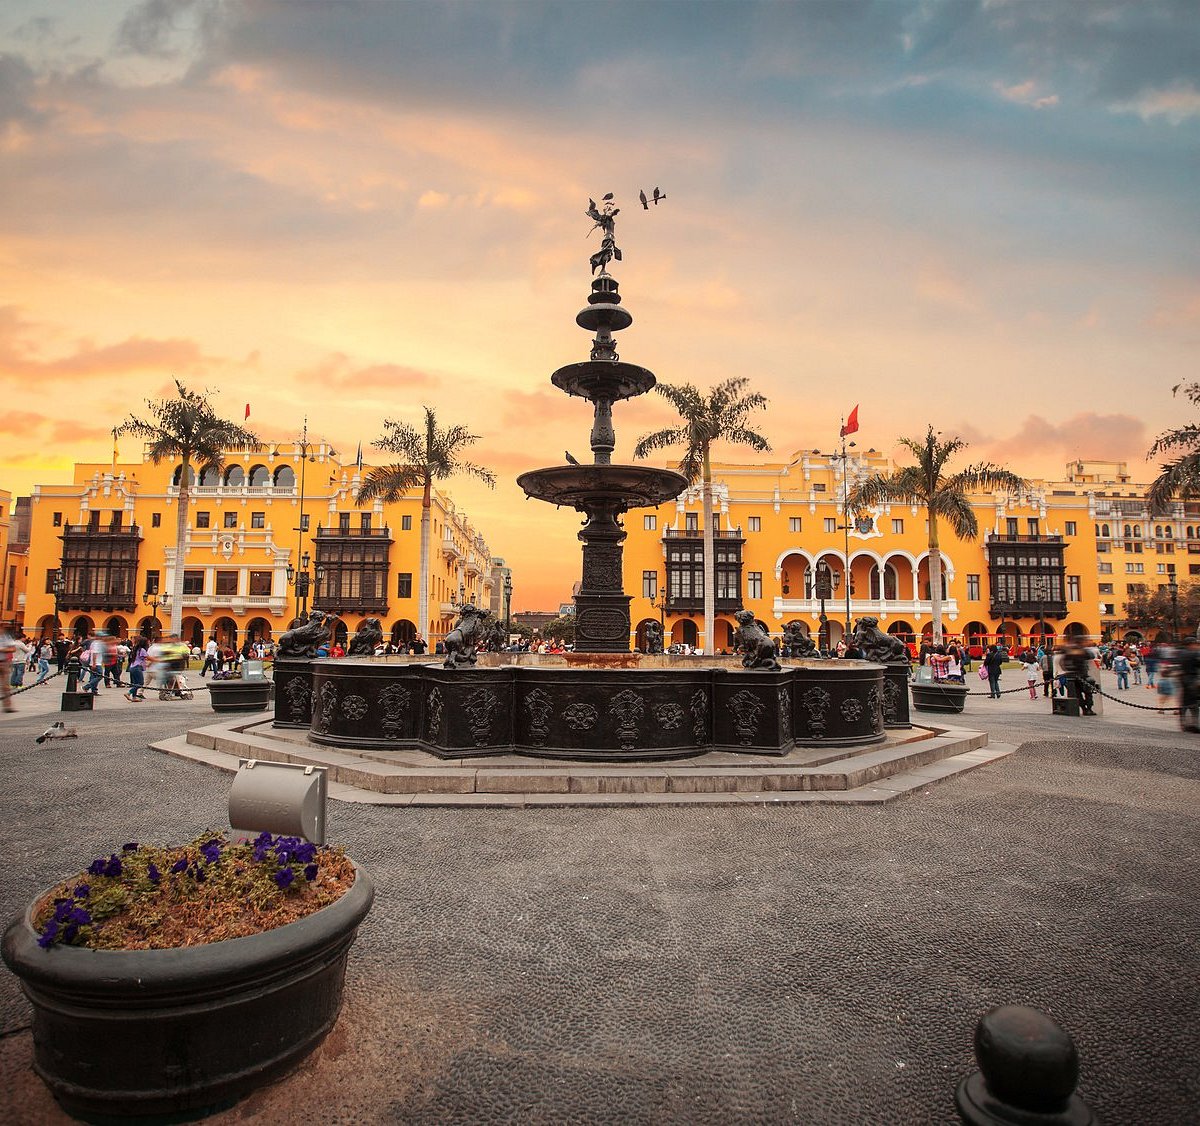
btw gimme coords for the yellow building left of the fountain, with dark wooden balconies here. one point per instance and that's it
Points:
(256, 529)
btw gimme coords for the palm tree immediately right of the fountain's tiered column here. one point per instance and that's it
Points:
(719, 417)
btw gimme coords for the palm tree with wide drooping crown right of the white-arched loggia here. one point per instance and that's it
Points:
(940, 495)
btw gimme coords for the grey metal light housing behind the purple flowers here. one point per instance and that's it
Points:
(279, 798)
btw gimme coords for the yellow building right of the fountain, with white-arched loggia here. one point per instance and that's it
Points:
(1063, 556)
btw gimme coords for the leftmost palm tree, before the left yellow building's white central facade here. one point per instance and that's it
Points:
(189, 429)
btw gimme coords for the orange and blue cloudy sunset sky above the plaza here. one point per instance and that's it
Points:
(985, 215)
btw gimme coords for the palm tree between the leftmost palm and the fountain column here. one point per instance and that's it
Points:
(428, 456)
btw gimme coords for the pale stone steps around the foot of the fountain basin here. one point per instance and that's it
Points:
(908, 762)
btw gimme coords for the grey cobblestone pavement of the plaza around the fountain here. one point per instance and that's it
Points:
(809, 965)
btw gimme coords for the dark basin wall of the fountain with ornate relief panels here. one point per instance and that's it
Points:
(595, 715)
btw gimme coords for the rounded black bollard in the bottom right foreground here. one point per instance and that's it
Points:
(1028, 1073)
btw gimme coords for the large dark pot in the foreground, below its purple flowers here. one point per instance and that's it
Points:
(153, 1033)
